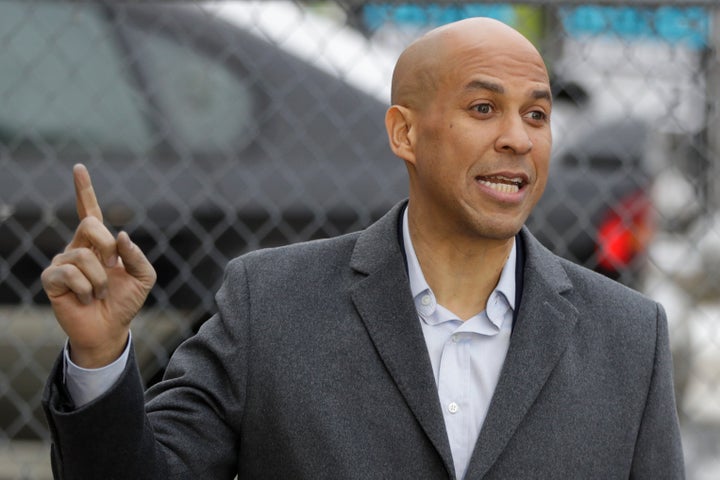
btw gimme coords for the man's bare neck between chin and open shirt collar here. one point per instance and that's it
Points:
(462, 273)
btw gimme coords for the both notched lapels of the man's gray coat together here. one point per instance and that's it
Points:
(545, 321)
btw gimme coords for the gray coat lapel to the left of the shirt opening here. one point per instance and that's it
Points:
(382, 297)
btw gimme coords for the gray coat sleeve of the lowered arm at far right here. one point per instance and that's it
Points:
(658, 450)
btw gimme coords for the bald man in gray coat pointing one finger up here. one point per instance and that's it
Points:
(442, 342)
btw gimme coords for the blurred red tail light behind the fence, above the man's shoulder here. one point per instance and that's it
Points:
(625, 232)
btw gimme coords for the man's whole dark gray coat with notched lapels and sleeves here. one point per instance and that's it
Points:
(315, 368)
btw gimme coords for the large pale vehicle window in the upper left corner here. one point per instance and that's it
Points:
(63, 82)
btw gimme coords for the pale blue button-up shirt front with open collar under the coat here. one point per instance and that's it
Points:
(467, 356)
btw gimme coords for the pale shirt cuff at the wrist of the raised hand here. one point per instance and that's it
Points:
(86, 384)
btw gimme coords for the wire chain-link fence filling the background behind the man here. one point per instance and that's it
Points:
(211, 129)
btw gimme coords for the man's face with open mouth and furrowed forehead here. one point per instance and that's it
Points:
(483, 142)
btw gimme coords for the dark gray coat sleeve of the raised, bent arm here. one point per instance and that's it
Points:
(186, 427)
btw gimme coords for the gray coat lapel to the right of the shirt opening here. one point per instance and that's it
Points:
(546, 321)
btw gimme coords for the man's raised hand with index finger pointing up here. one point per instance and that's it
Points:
(98, 284)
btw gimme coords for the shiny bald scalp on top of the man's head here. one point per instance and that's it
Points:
(419, 69)
